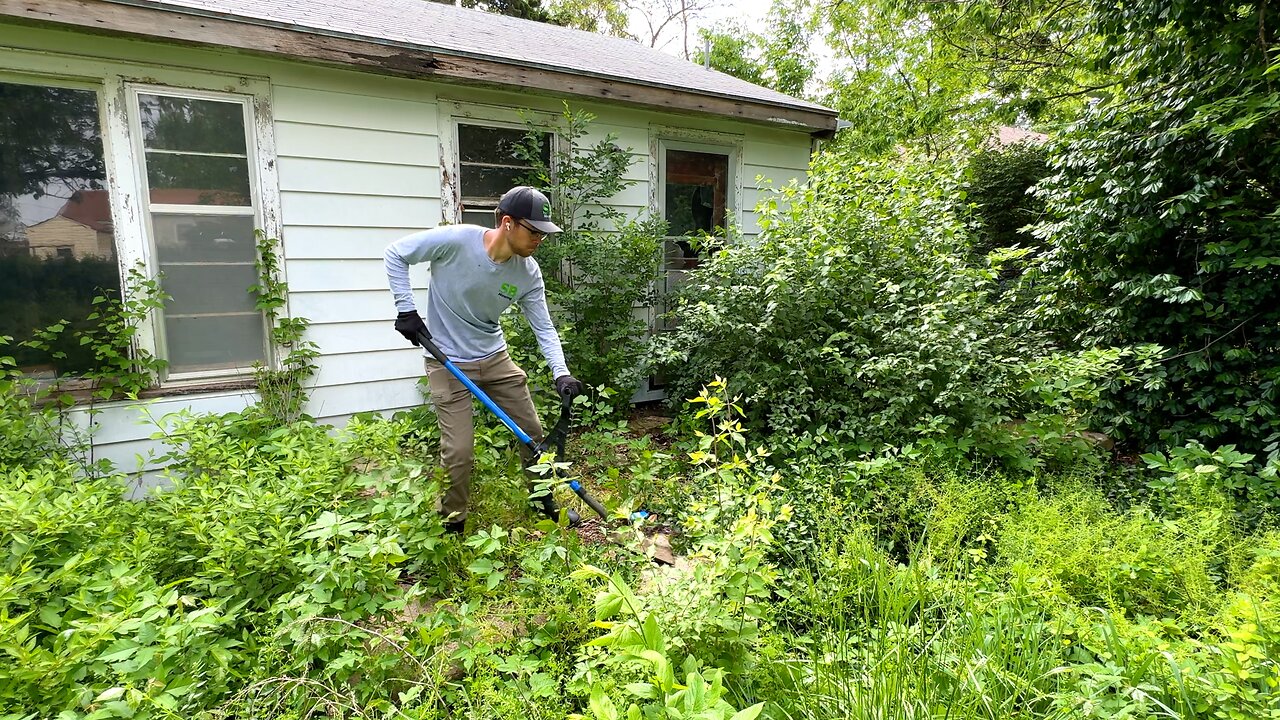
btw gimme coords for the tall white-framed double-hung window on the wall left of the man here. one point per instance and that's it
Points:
(198, 170)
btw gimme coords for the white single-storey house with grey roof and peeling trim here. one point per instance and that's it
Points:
(339, 126)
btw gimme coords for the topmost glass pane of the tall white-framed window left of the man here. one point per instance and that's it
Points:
(189, 125)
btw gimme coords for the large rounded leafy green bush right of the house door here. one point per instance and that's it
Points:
(856, 318)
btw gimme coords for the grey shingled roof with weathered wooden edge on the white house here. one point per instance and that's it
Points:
(423, 39)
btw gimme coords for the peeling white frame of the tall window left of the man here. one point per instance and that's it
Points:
(262, 170)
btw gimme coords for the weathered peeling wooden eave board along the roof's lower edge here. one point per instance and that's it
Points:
(248, 35)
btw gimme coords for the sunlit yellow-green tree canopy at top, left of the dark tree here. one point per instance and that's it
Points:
(941, 74)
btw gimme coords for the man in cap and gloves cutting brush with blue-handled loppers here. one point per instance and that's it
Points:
(476, 275)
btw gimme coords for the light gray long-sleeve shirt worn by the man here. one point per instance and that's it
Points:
(469, 293)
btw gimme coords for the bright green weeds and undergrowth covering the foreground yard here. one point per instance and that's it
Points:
(289, 573)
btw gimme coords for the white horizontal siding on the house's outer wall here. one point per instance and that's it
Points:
(359, 162)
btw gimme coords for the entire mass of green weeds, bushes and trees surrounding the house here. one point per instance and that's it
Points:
(881, 477)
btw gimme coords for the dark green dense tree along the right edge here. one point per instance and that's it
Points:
(1163, 222)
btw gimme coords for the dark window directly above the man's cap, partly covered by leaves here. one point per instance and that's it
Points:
(491, 162)
